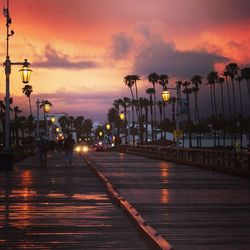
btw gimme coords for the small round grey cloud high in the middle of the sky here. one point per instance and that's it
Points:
(121, 46)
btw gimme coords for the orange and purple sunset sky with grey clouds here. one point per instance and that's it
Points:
(81, 50)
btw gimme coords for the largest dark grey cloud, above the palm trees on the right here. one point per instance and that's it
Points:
(161, 57)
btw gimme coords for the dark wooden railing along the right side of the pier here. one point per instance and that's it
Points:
(227, 161)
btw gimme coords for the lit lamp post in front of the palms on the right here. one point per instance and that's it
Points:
(166, 96)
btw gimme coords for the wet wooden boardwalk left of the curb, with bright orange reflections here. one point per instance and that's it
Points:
(60, 208)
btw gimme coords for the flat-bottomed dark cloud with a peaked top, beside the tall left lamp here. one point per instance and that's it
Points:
(55, 59)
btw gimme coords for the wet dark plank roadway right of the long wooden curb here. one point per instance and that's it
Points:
(192, 208)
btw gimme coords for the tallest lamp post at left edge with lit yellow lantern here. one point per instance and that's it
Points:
(25, 74)
